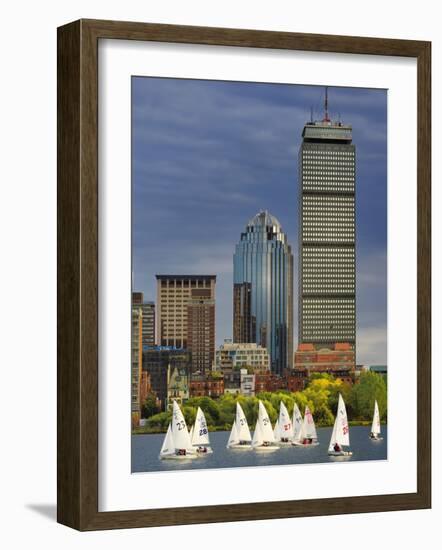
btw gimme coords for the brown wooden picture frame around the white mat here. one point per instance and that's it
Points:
(77, 461)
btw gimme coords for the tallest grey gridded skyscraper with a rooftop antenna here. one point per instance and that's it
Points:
(327, 259)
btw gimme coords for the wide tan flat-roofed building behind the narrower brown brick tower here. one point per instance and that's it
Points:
(173, 295)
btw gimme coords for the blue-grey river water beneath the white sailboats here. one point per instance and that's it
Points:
(146, 448)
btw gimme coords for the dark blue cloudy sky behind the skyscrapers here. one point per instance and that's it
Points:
(208, 155)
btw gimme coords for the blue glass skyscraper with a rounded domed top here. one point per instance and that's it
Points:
(263, 290)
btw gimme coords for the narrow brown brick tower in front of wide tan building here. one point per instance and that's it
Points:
(201, 329)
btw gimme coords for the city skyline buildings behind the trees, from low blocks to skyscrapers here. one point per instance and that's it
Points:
(173, 341)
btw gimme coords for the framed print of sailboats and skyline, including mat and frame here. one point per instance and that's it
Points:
(243, 275)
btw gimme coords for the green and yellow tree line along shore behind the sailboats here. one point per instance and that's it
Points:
(320, 395)
